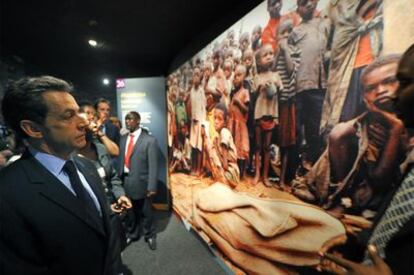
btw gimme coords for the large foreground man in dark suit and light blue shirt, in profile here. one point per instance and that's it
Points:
(54, 218)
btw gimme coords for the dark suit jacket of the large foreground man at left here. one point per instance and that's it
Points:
(43, 228)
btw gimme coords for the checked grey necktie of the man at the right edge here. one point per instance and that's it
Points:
(398, 213)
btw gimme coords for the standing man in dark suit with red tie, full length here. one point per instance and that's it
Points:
(138, 165)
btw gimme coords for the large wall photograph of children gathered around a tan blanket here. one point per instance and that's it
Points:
(277, 148)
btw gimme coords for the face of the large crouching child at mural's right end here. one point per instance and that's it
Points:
(381, 83)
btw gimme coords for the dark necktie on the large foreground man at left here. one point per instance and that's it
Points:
(83, 196)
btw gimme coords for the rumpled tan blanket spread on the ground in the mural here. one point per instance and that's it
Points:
(262, 235)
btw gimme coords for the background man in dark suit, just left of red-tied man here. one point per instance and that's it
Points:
(103, 108)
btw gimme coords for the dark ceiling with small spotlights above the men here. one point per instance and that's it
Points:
(137, 38)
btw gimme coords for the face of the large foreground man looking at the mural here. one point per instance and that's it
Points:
(63, 129)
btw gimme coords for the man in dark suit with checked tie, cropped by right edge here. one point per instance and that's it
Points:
(391, 240)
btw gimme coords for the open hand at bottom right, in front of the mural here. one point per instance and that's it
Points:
(338, 265)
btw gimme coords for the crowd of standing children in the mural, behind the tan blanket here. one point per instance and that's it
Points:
(232, 105)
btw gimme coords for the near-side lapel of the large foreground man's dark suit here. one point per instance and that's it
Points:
(52, 189)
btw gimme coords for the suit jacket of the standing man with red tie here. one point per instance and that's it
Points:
(143, 171)
